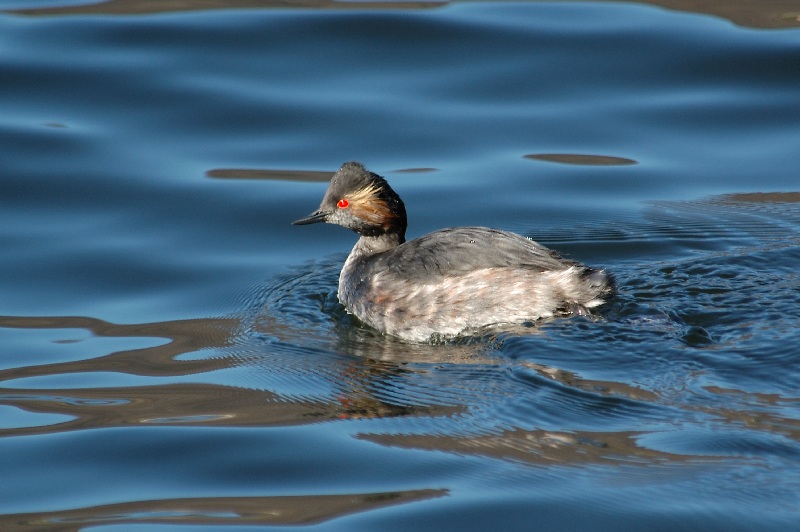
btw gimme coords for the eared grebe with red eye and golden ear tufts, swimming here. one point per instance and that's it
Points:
(449, 282)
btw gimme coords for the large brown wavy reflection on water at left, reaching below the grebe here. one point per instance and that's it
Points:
(182, 403)
